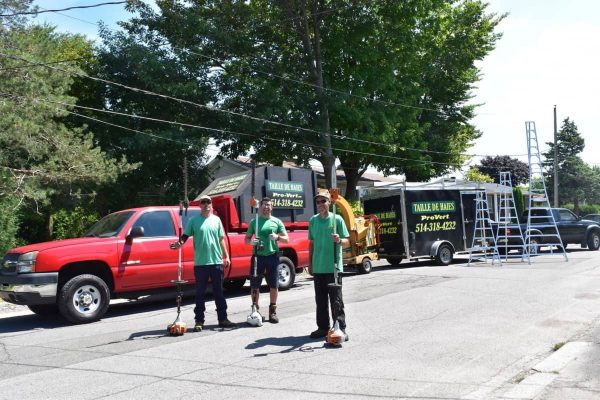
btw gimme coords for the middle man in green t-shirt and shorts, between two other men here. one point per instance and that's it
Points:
(270, 231)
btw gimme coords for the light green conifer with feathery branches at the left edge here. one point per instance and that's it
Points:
(40, 156)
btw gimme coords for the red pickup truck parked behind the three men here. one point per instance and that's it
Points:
(126, 254)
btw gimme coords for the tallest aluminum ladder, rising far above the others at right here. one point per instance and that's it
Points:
(541, 226)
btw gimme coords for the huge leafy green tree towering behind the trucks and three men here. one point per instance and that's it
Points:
(381, 83)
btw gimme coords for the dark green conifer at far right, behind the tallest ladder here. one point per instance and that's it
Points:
(577, 181)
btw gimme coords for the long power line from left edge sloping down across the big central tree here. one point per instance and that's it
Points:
(262, 120)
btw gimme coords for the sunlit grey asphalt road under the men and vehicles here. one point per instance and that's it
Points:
(416, 332)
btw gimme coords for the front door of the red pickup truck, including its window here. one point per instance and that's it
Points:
(147, 262)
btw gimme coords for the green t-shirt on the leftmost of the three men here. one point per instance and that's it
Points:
(207, 233)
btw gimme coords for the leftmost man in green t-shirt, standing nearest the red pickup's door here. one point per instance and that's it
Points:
(210, 257)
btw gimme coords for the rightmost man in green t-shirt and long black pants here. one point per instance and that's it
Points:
(321, 238)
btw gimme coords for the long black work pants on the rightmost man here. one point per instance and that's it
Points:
(326, 296)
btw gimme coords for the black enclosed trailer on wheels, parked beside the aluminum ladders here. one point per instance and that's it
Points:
(421, 223)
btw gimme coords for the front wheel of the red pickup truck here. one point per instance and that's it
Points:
(84, 298)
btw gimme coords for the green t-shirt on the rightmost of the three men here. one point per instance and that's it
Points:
(320, 231)
